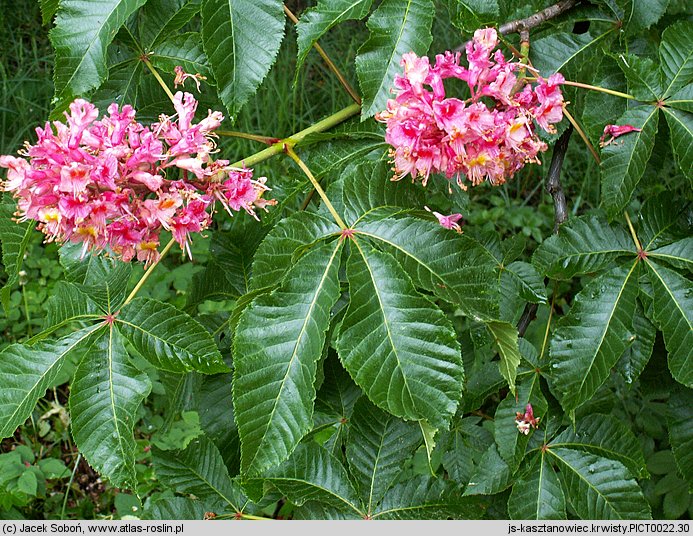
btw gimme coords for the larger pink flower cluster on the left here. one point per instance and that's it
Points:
(113, 184)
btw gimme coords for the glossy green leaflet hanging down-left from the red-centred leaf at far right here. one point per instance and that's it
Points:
(592, 337)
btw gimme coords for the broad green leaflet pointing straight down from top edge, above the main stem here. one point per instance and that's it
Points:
(241, 38)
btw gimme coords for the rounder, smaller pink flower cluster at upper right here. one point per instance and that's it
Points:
(489, 136)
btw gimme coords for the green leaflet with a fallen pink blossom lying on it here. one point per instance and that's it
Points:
(623, 163)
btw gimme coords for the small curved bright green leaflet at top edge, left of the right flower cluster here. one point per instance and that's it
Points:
(317, 21)
